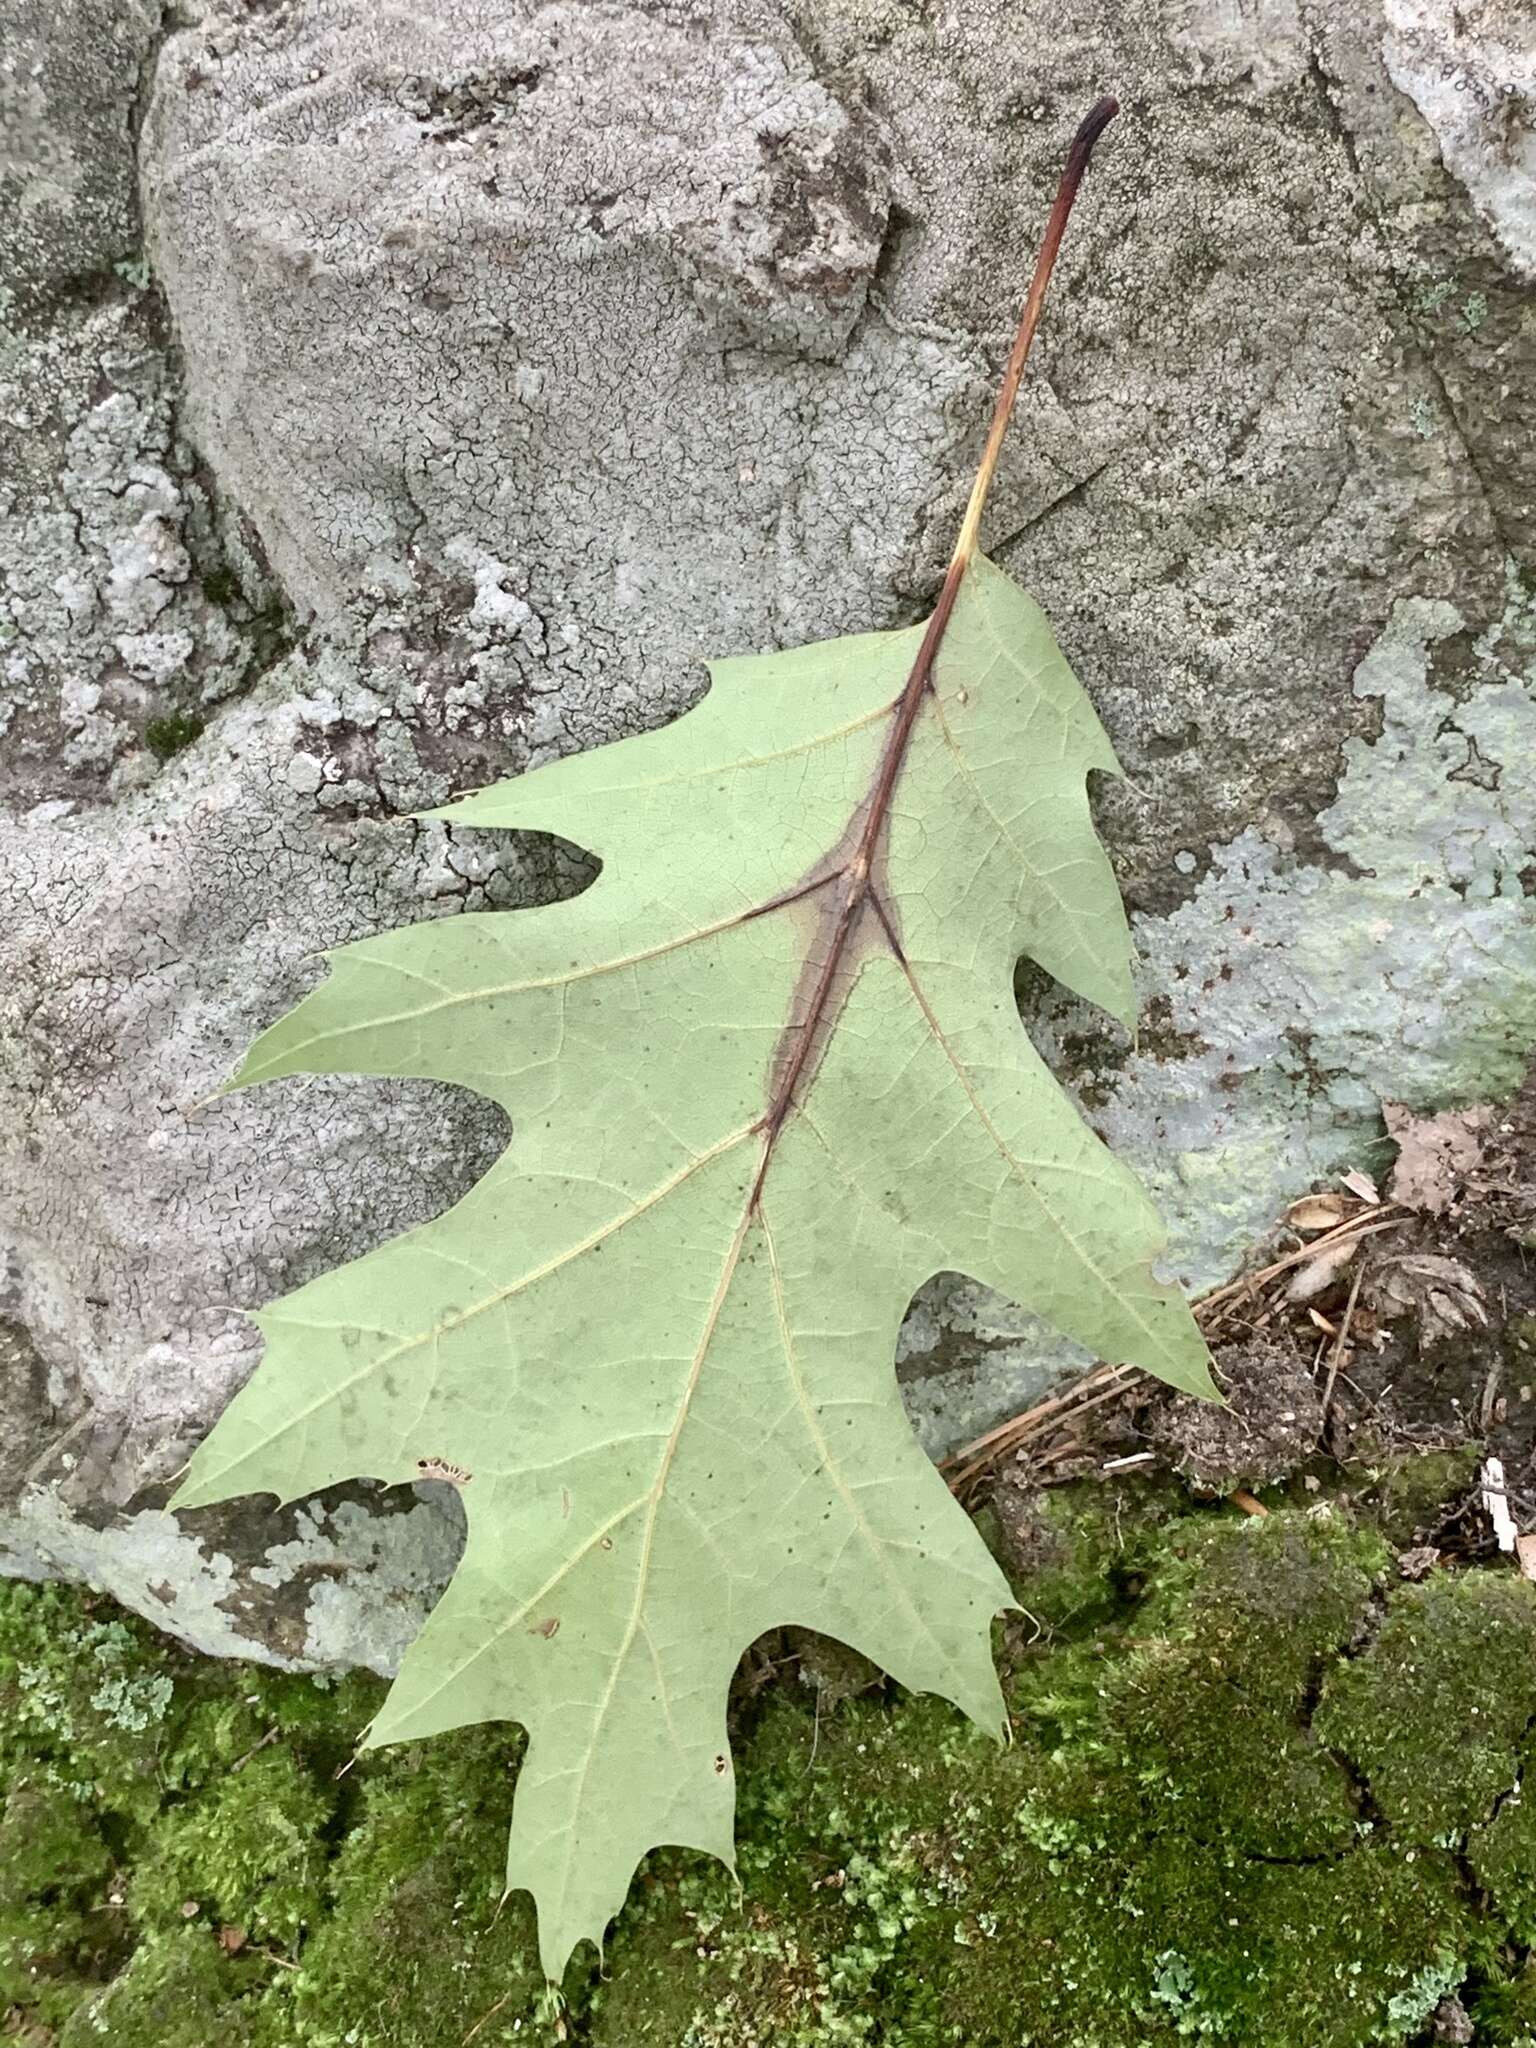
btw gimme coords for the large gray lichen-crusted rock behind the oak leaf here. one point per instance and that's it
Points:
(511, 361)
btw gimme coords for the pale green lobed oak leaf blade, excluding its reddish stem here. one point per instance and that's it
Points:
(679, 1410)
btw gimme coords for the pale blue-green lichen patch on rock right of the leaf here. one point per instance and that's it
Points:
(1406, 972)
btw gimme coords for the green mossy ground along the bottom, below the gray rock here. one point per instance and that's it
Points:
(1258, 1793)
